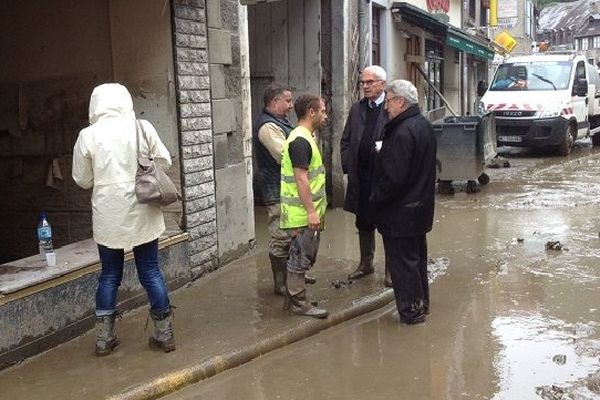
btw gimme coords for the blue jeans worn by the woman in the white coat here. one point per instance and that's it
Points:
(146, 263)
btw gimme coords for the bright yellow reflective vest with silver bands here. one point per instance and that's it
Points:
(293, 213)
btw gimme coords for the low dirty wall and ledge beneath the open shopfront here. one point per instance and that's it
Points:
(60, 306)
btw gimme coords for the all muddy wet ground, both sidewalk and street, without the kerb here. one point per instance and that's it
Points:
(510, 318)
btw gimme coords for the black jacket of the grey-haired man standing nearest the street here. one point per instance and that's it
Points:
(403, 196)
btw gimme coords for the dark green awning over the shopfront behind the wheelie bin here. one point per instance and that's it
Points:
(454, 36)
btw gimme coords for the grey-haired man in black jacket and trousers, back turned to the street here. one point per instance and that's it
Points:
(403, 197)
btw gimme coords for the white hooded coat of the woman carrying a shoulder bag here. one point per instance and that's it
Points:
(105, 158)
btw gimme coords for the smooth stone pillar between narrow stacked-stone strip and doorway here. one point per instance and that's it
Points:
(227, 43)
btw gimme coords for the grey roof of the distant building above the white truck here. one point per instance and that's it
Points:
(571, 15)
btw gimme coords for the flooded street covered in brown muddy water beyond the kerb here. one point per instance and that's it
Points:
(510, 319)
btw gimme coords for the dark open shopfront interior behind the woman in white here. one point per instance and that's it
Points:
(48, 76)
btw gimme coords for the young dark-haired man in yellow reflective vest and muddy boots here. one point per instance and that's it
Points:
(303, 201)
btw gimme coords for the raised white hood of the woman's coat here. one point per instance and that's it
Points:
(110, 100)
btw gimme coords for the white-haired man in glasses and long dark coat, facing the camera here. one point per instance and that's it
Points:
(363, 128)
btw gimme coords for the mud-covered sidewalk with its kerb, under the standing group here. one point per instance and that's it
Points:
(225, 318)
